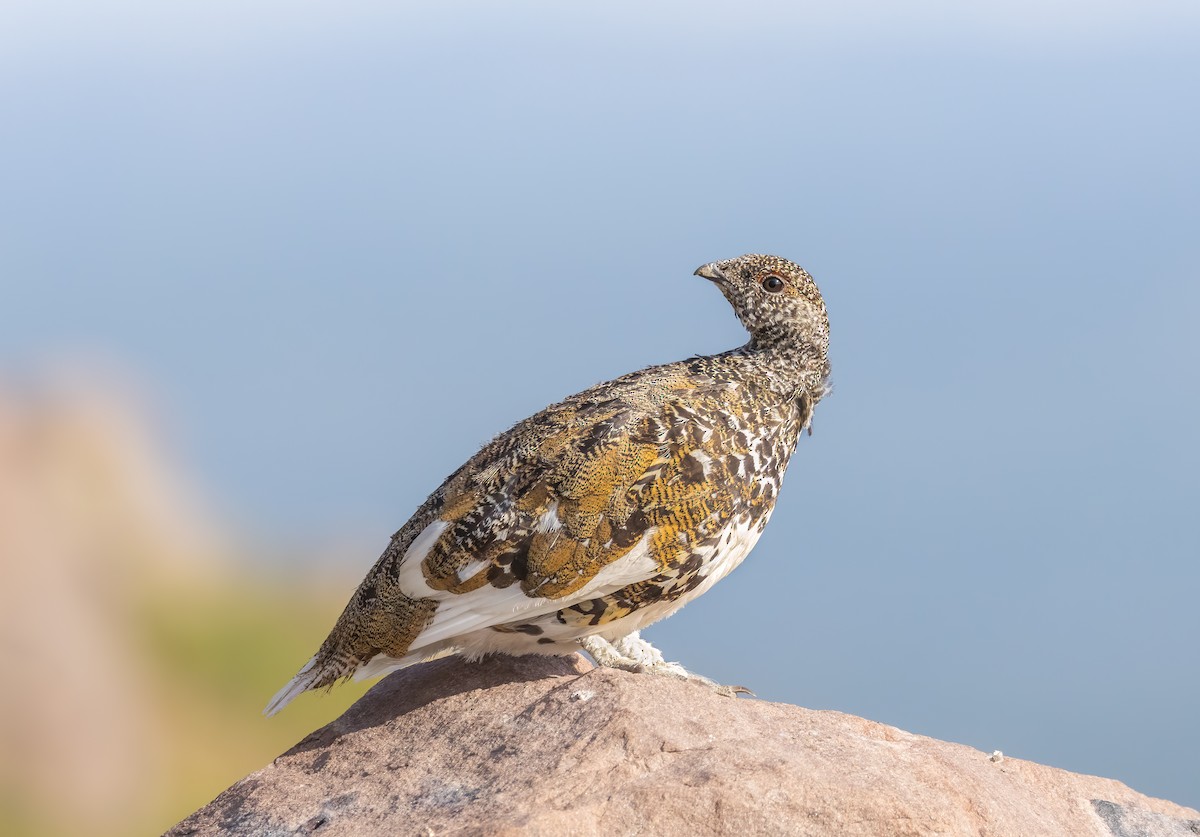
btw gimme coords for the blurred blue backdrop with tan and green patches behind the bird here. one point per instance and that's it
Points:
(269, 272)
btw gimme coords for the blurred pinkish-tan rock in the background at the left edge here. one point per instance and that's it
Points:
(93, 519)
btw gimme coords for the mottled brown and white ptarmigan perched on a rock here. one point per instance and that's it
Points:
(603, 514)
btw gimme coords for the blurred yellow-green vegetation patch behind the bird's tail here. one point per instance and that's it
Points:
(218, 655)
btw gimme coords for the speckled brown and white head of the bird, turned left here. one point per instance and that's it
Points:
(777, 302)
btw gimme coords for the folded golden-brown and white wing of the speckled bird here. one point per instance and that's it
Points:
(596, 497)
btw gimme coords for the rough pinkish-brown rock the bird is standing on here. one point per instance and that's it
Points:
(551, 746)
